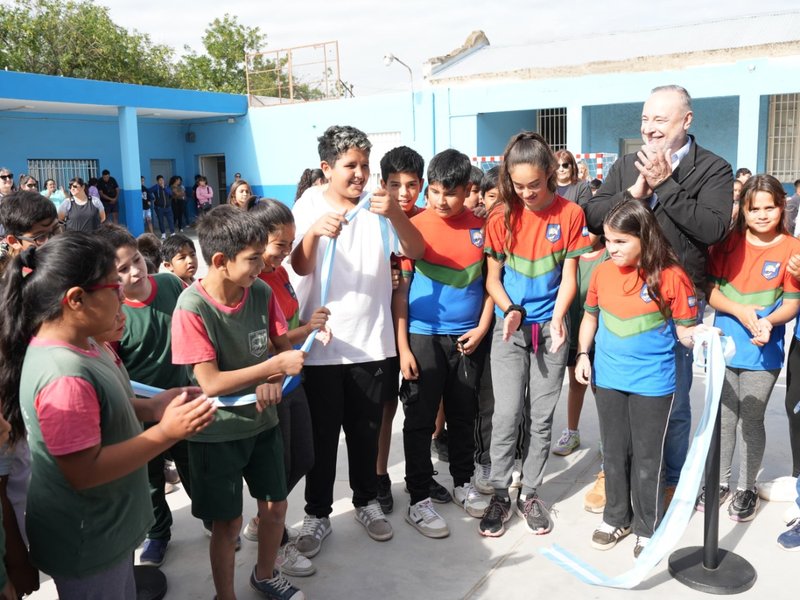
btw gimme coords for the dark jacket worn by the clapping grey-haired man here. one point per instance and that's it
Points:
(693, 208)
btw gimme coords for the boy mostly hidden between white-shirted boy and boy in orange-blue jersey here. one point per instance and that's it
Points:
(402, 176)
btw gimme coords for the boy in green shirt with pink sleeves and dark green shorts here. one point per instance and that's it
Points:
(221, 329)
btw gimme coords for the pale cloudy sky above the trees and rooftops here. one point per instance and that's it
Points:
(416, 30)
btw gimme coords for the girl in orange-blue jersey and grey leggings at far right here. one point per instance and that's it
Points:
(754, 296)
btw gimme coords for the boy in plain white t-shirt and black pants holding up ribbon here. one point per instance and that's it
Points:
(344, 380)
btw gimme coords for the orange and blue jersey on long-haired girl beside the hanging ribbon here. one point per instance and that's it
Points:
(634, 345)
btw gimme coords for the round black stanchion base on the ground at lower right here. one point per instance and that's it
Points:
(733, 575)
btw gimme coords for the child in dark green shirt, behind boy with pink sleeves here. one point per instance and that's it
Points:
(146, 351)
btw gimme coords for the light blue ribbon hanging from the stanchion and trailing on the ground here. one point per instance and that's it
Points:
(708, 352)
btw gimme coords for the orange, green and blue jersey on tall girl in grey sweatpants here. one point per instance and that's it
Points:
(542, 241)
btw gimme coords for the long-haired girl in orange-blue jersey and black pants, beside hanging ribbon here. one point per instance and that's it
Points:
(636, 304)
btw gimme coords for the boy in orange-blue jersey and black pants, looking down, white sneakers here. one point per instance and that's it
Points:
(441, 353)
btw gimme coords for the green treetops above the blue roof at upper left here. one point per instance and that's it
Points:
(76, 38)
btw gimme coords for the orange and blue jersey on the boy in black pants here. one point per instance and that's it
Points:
(447, 285)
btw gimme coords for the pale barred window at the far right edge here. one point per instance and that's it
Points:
(783, 137)
